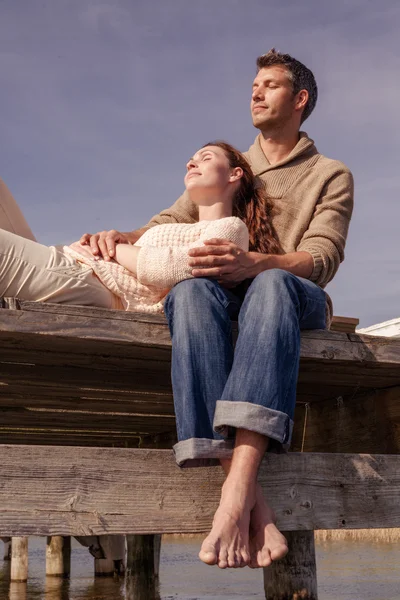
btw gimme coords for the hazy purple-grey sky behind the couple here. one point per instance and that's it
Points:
(103, 102)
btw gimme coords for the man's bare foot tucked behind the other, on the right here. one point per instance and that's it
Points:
(266, 541)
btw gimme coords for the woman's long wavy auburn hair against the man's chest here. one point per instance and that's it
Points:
(251, 203)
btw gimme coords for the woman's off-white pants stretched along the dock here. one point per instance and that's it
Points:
(31, 271)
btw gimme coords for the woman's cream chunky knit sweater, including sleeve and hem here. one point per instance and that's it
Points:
(162, 261)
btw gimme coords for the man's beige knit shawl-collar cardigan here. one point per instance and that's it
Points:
(312, 200)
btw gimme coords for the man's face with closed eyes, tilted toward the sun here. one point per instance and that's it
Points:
(272, 101)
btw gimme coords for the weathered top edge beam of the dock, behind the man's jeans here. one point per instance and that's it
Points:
(55, 320)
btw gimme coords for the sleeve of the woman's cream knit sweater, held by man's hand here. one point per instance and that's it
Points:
(163, 267)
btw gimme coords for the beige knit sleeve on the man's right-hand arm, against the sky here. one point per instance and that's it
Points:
(326, 235)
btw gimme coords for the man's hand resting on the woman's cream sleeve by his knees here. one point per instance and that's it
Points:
(223, 260)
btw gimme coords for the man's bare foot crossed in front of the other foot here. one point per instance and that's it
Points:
(227, 545)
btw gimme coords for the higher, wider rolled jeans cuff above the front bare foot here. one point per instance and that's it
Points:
(274, 424)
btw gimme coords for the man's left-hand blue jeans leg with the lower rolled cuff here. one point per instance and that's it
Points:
(199, 314)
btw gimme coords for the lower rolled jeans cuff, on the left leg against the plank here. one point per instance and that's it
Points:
(202, 452)
